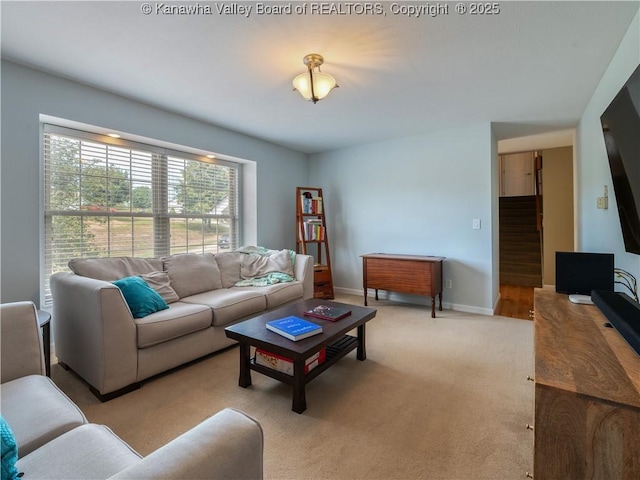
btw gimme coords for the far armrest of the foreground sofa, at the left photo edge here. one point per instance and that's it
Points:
(21, 350)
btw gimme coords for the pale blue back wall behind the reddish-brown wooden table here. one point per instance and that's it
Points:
(415, 195)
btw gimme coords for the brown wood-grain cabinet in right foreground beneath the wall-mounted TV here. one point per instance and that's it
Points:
(587, 394)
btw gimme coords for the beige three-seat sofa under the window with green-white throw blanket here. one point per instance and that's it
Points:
(96, 335)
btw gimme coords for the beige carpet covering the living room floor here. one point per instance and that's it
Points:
(443, 398)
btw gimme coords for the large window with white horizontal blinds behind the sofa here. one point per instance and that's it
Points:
(108, 198)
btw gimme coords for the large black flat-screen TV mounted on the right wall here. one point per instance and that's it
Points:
(621, 129)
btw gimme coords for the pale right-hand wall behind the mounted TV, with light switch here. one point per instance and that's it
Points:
(599, 230)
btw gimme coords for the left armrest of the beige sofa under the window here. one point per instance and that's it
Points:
(94, 331)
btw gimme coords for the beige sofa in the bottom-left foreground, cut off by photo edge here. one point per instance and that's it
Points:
(54, 440)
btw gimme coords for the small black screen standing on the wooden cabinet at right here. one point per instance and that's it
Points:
(582, 272)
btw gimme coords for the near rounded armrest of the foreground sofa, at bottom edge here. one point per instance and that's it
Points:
(228, 445)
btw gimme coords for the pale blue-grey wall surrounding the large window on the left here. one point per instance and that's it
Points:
(27, 94)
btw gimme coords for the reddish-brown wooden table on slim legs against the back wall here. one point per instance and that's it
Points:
(416, 274)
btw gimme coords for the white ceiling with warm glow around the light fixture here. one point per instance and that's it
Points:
(531, 68)
